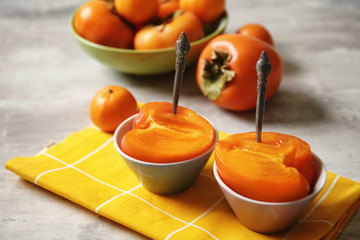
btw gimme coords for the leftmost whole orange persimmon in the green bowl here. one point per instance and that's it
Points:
(95, 22)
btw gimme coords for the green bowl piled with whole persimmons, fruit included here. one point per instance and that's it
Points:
(138, 37)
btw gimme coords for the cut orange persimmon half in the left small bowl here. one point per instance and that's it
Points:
(160, 136)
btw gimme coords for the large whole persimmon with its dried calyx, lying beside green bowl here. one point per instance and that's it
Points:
(226, 71)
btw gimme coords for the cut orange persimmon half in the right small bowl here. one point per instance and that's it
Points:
(279, 169)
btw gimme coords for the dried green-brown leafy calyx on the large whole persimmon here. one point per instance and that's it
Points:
(215, 74)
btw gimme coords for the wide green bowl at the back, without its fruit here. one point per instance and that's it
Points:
(146, 62)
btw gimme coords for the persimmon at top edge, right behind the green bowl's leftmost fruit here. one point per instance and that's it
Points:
(137, 11)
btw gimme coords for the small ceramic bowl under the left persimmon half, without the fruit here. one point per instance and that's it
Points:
(163, 178)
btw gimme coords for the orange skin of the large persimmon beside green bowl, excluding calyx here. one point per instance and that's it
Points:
(240, 94)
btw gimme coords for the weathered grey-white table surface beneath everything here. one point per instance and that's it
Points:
(47, 81)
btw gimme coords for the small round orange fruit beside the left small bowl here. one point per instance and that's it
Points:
(110, 106)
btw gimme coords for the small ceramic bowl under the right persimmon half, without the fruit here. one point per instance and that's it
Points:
(270, 217)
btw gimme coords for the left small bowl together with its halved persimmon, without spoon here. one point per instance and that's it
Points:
(167, 154)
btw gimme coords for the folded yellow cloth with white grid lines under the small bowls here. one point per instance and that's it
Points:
(86, 169)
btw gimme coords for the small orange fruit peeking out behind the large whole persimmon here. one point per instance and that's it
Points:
(256, 30)
